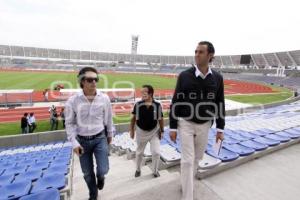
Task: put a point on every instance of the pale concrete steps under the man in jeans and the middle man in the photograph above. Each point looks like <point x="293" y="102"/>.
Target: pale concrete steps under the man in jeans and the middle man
<point x="120" y="183"/>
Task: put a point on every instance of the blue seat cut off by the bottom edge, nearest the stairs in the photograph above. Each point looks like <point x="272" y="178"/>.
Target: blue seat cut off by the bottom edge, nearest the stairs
<point x="49" y="194"/>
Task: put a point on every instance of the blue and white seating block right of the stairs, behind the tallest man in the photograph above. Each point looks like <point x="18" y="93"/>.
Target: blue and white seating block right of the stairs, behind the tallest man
<point x="245" y="134"/>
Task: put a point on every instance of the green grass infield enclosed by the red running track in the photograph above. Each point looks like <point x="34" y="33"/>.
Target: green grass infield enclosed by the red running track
<point x="40" y="81"/>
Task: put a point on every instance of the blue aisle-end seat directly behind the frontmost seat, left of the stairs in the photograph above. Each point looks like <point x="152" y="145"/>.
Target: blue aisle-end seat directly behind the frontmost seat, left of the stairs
<point x="57" y="181"/>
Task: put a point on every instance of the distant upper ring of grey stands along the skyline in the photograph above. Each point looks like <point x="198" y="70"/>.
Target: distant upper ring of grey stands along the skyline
<point x="290" y="58"/>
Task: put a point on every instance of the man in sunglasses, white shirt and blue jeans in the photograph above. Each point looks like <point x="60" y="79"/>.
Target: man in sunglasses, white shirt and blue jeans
<point x="88" y="114"/>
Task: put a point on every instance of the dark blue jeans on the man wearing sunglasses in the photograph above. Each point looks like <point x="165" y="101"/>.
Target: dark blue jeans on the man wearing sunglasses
<point x="99" y="148"/>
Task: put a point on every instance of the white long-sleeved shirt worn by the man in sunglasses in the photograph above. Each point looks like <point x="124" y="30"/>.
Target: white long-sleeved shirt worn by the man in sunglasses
<point x="87" y="118"/>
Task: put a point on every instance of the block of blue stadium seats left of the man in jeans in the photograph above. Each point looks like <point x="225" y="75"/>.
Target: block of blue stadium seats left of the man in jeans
<point x="36" y="171"/>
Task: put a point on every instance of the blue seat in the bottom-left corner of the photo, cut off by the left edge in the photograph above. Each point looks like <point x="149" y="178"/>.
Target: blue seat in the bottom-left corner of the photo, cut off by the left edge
<point x="15" y="190"/>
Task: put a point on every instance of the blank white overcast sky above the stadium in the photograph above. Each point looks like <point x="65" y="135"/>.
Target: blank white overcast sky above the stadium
<point x="166" y="27"/>
